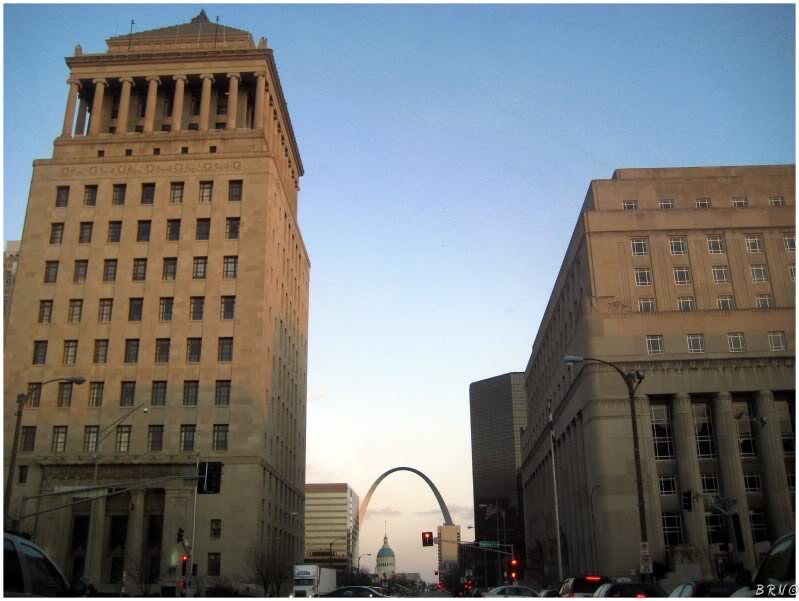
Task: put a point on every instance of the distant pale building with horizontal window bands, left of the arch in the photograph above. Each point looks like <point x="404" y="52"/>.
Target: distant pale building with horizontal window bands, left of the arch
<point x="331" y="526"/>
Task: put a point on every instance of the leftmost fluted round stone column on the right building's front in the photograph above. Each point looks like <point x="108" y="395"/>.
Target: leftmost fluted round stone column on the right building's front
<point x="689" y="477"/>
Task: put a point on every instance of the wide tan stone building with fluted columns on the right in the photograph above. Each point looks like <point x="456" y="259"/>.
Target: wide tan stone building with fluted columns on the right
<point x="688" y="276"/>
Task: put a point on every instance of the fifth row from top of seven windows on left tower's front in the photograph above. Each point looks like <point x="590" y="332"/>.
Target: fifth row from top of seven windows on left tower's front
<point x="194" y="348"/>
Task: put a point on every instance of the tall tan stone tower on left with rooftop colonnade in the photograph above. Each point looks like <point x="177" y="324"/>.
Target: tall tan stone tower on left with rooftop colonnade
<point x="162" y="260"/>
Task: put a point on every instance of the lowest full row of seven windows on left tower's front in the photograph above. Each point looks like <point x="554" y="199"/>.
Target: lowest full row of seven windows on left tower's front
<point x="155" y="438"/>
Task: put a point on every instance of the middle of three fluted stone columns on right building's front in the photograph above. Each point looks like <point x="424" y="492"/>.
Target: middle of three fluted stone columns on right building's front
<point x="732" y="478"/>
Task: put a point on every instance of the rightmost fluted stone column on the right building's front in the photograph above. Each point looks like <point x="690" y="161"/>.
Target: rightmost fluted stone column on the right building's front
<point x="772" y="460"/>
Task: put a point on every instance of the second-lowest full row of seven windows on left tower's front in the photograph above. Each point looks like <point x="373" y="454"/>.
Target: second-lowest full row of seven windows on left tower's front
<point x="127" y="394"/>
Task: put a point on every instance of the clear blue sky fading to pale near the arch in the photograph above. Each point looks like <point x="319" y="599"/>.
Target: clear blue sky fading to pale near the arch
<point x="447" y="152"/>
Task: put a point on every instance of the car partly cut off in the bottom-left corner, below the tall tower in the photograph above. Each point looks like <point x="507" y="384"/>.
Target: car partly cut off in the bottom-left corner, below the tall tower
<point x="29" y="572"/>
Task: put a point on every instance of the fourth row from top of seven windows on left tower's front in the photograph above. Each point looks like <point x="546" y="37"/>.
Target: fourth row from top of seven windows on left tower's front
<point x="227" y="309"/>
